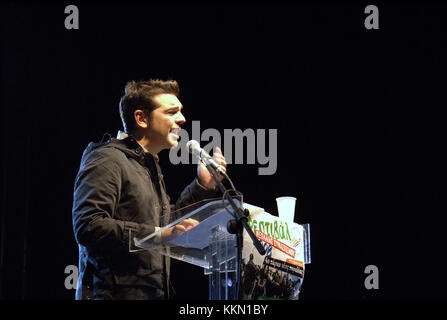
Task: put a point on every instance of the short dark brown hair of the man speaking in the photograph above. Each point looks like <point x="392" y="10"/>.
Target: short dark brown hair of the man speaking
<point x="139" y="95"/>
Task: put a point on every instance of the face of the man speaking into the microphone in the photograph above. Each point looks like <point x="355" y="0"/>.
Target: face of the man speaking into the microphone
<point x="165" y="122"/>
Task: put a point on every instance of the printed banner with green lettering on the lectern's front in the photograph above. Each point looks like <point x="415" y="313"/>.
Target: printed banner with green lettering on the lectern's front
<point x="280" y="272"/>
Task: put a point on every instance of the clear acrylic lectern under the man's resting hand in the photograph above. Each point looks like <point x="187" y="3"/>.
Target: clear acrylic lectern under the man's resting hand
<point x="208" y="244"/>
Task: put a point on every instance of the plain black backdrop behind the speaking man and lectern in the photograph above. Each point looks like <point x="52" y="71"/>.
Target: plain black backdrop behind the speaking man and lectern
<point x="359" y="116"/>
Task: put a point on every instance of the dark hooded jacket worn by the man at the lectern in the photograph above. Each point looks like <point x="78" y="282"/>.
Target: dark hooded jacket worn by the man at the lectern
<point x="119" y="190"/>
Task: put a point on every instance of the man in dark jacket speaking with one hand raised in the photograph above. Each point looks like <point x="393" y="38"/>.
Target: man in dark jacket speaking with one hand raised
<point x="119" y="190"/>
